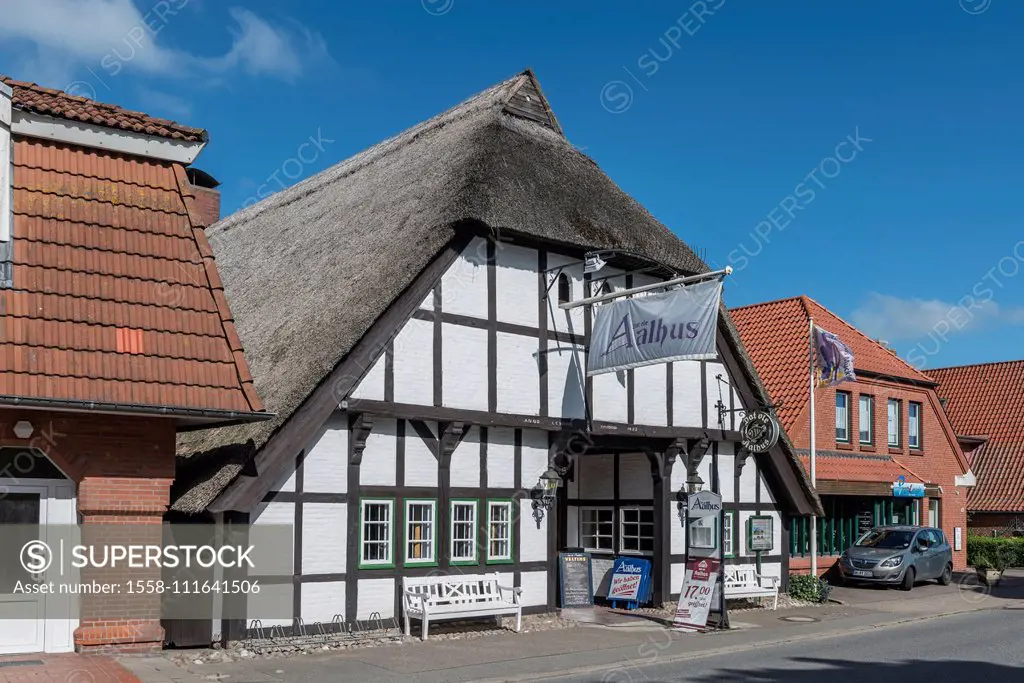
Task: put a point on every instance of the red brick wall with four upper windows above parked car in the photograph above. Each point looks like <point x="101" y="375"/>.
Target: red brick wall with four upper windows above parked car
<point x="936" y="462"/>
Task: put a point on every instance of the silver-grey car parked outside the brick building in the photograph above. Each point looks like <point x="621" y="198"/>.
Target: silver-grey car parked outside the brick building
<point x="899" y="557"/>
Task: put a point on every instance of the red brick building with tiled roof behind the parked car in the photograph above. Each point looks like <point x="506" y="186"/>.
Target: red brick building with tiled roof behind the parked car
<point x="870" y="434"/>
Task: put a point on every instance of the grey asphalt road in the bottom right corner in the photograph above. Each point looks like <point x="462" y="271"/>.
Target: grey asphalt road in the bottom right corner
<point x="978" y="647"/>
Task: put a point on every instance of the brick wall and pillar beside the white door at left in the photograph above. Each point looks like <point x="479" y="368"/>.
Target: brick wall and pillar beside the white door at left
<point x="124" y="467"/>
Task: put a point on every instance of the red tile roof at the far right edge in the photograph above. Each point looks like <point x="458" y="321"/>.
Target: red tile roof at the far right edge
<point x="989" y="401"/>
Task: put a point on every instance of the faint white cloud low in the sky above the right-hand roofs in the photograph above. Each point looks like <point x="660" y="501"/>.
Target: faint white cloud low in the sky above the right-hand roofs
<point x="893" y="319"/>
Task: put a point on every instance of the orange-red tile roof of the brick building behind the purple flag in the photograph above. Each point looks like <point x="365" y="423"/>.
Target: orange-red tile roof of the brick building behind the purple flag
<point x="777" y="337"/>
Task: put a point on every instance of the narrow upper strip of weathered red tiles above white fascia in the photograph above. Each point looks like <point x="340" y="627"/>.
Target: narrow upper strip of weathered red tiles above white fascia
<point x="58" y="104"/>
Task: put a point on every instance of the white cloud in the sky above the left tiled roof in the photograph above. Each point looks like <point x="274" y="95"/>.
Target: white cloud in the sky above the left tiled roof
<point x="108" y="36"/>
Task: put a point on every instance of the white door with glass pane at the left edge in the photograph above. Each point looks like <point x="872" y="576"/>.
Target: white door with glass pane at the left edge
<point x="23" y="617"/>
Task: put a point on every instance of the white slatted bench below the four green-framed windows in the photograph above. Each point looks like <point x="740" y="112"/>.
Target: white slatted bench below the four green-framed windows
<point x="458" y="596"/>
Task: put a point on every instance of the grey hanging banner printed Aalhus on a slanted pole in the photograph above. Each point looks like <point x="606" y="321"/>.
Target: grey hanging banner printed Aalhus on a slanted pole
<point x="676" y="326"/>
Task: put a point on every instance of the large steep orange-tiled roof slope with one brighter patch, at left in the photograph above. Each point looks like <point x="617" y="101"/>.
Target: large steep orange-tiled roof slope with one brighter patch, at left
<point x="115" y="293"/>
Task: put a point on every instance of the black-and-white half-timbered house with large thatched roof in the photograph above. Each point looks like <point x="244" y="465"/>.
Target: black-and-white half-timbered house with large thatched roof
<point x="401" y="315"/>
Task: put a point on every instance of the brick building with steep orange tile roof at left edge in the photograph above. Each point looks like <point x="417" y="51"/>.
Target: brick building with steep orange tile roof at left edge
<point x="115" y="335"/>
